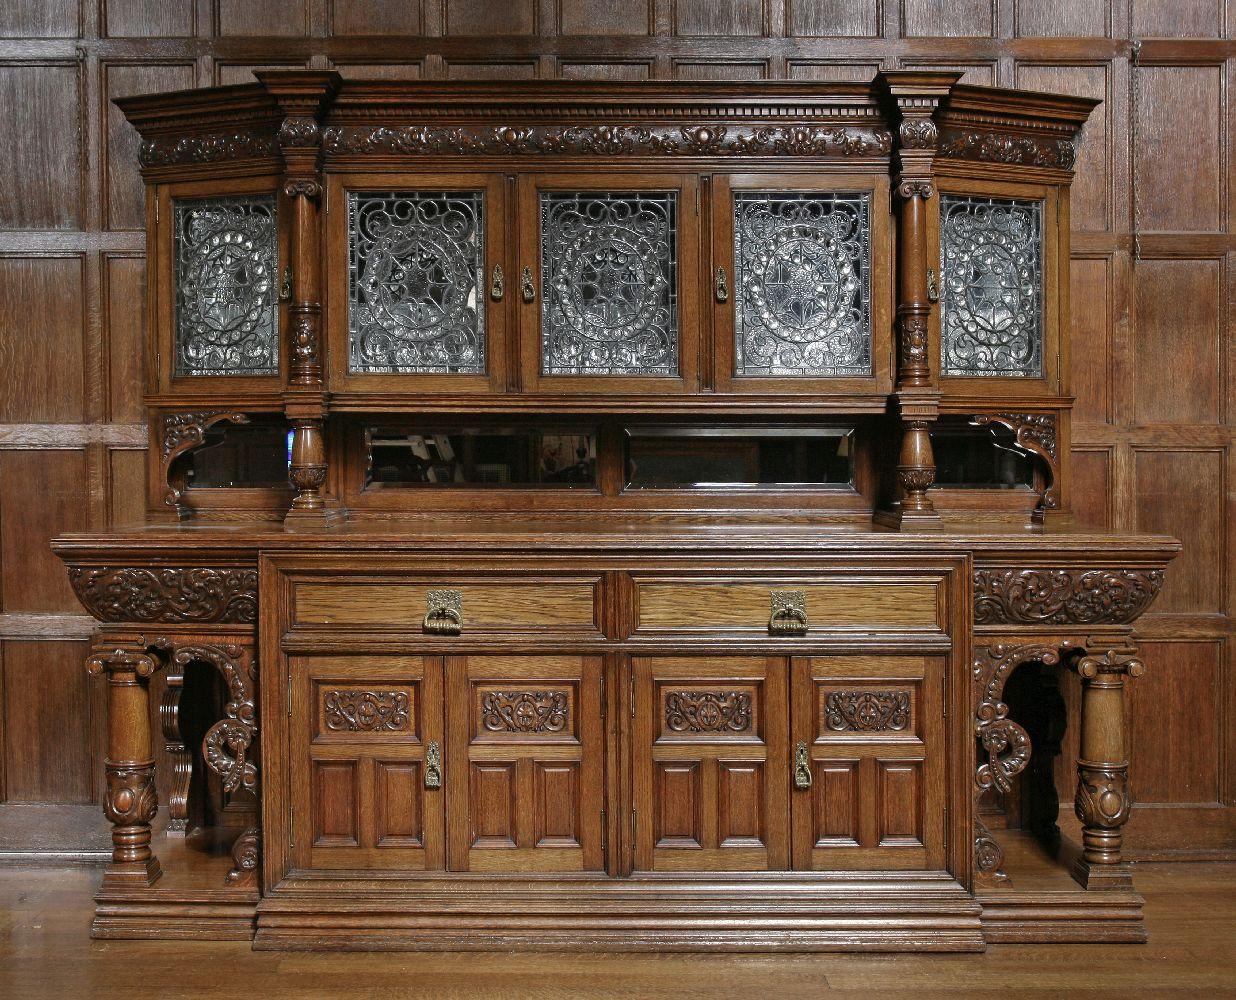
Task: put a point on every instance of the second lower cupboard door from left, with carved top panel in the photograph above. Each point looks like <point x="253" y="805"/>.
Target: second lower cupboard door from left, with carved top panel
<point x="525" y="763"/>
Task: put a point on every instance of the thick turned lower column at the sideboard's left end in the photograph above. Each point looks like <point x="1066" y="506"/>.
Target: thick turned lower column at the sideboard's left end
<point x="132" y="799"/>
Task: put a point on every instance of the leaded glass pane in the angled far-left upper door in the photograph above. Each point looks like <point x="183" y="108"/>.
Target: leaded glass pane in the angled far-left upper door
<point x="227" y="265"/>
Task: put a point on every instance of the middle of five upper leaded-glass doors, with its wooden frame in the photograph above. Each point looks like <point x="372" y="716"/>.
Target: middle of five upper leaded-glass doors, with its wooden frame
<point x="609" y="284"/>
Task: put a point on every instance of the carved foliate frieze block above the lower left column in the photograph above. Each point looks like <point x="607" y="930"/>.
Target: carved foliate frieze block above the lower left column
<point x="167" y="595"/>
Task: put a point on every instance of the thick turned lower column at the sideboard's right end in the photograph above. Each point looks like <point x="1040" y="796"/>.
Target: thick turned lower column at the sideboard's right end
<point x="1103" y="802"/>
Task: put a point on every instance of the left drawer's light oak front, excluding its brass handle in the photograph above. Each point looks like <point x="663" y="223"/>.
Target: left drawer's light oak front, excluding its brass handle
<point x="494" y="604"/>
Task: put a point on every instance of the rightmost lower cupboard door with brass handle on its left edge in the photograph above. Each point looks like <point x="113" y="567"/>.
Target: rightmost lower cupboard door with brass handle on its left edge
<point x="868" y="763"/>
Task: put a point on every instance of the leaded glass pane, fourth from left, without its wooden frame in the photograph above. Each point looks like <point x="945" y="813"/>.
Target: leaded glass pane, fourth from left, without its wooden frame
<point x="803" y="265"/>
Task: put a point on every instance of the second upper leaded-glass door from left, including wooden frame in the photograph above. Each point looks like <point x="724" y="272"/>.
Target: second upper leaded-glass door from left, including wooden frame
<point x="420" y="284"/>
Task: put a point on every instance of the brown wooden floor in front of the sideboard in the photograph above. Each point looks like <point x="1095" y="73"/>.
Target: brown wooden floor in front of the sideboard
<point x="45" y="952"/>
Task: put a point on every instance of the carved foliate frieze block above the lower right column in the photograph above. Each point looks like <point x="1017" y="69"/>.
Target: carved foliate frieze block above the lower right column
<point x="1064" y="598"/>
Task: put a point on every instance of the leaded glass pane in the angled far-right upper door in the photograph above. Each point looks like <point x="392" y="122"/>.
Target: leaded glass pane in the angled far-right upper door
<point x="992" y="266"/>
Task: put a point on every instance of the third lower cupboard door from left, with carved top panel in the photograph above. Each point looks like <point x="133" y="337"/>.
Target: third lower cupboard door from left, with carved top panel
<point x="711" y="765"/>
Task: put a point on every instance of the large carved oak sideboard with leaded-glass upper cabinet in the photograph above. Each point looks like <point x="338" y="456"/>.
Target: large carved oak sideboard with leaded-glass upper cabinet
<point x="632" y="517"/>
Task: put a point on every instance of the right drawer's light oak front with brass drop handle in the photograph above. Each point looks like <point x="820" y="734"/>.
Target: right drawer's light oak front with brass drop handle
<point x="750" y="605"/>
